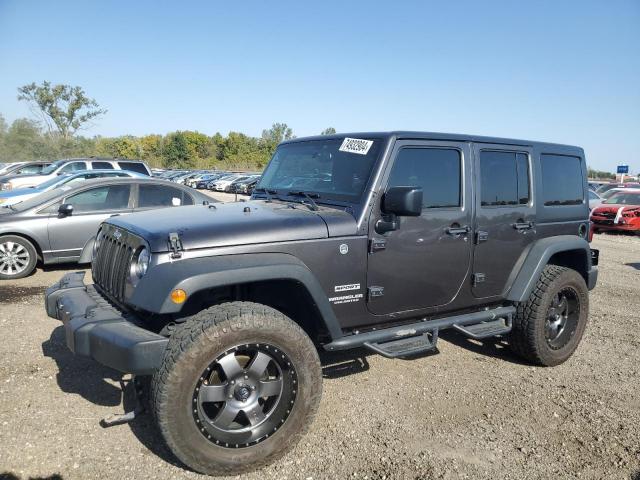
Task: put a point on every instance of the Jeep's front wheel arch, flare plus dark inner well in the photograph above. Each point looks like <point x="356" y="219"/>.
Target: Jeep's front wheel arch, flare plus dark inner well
<point x="278" y="280"/>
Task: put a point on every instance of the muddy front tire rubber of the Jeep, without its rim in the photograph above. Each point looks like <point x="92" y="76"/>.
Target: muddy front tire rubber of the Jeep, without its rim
<point x="193" y="347"/>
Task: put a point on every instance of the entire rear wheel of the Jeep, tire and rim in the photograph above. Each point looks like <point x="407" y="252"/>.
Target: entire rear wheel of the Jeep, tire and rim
<point x="548" y="327"/>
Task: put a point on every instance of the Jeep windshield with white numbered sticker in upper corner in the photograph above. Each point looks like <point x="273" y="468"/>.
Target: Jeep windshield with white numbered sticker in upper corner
<point x="336" y="169"/>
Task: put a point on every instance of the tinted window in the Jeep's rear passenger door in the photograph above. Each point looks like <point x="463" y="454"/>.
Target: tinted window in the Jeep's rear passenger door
<point x="504" y="178"/>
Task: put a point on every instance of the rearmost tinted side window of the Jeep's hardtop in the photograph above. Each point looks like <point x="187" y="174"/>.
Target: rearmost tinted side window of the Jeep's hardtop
<point x="562" y="182"/>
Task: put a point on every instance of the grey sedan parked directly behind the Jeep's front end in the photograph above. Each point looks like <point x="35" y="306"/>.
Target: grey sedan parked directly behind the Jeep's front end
<point x="59" y="226"/>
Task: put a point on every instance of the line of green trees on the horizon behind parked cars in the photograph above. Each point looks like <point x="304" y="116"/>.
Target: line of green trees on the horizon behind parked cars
<point x="63" y="110"/>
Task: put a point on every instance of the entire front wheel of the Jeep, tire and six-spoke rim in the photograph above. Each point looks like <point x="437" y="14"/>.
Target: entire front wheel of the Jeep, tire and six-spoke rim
<point x="239" y="385"/>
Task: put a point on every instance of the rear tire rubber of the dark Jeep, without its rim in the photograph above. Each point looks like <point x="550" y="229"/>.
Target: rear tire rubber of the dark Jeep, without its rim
<point x="527" y="338"/>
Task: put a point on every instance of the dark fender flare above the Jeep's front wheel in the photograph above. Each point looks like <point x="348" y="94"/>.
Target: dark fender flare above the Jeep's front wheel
<point x="195" y="274"/>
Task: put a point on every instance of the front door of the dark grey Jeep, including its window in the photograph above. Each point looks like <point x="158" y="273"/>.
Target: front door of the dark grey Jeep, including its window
<point x="425" y="261"/>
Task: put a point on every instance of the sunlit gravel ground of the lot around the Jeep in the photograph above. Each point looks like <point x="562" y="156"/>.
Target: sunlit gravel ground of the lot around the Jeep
<point x="471" y="411"/>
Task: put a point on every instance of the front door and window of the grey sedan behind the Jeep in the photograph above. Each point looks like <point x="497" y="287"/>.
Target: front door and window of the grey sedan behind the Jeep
<point x="68" y="235"/>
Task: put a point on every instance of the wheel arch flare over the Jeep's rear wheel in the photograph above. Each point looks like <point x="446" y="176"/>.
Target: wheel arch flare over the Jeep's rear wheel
<point x="565" y="250"/>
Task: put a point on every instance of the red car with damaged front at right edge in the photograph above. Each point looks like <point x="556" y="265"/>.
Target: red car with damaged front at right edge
<point x="621" y="212"/>
